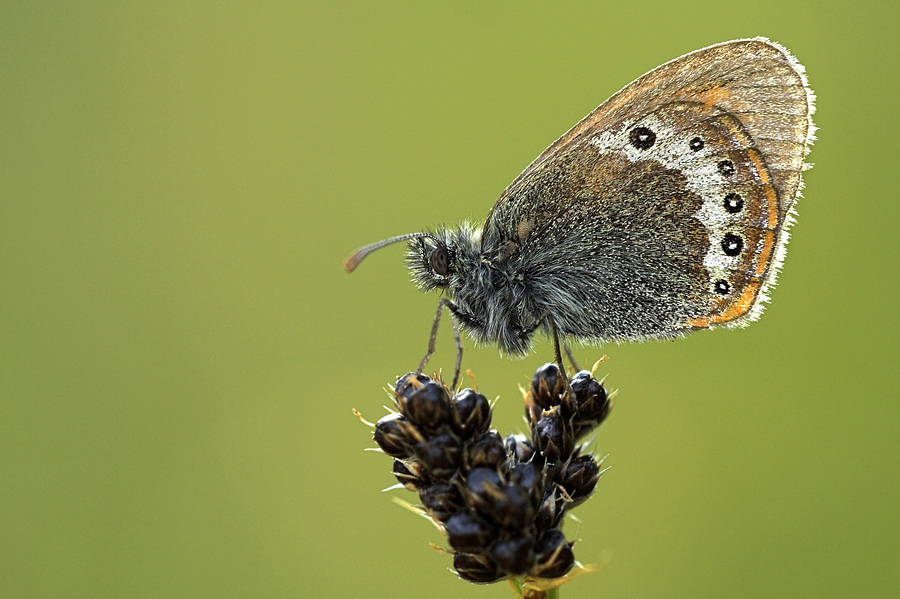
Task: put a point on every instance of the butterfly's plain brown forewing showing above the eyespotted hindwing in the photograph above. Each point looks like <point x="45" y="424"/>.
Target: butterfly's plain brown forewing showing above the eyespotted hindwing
<point x="756" y="80"/>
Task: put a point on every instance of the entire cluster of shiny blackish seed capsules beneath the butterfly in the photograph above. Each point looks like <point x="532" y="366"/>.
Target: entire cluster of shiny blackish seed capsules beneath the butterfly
<point x="501" y="501"/>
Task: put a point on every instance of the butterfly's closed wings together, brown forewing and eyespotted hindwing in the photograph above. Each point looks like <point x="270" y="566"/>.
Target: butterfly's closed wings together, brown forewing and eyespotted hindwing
<point x="674" y="196"/>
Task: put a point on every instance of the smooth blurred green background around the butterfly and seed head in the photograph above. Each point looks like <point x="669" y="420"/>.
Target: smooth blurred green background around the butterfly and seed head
<point x="181" y="349"/>
